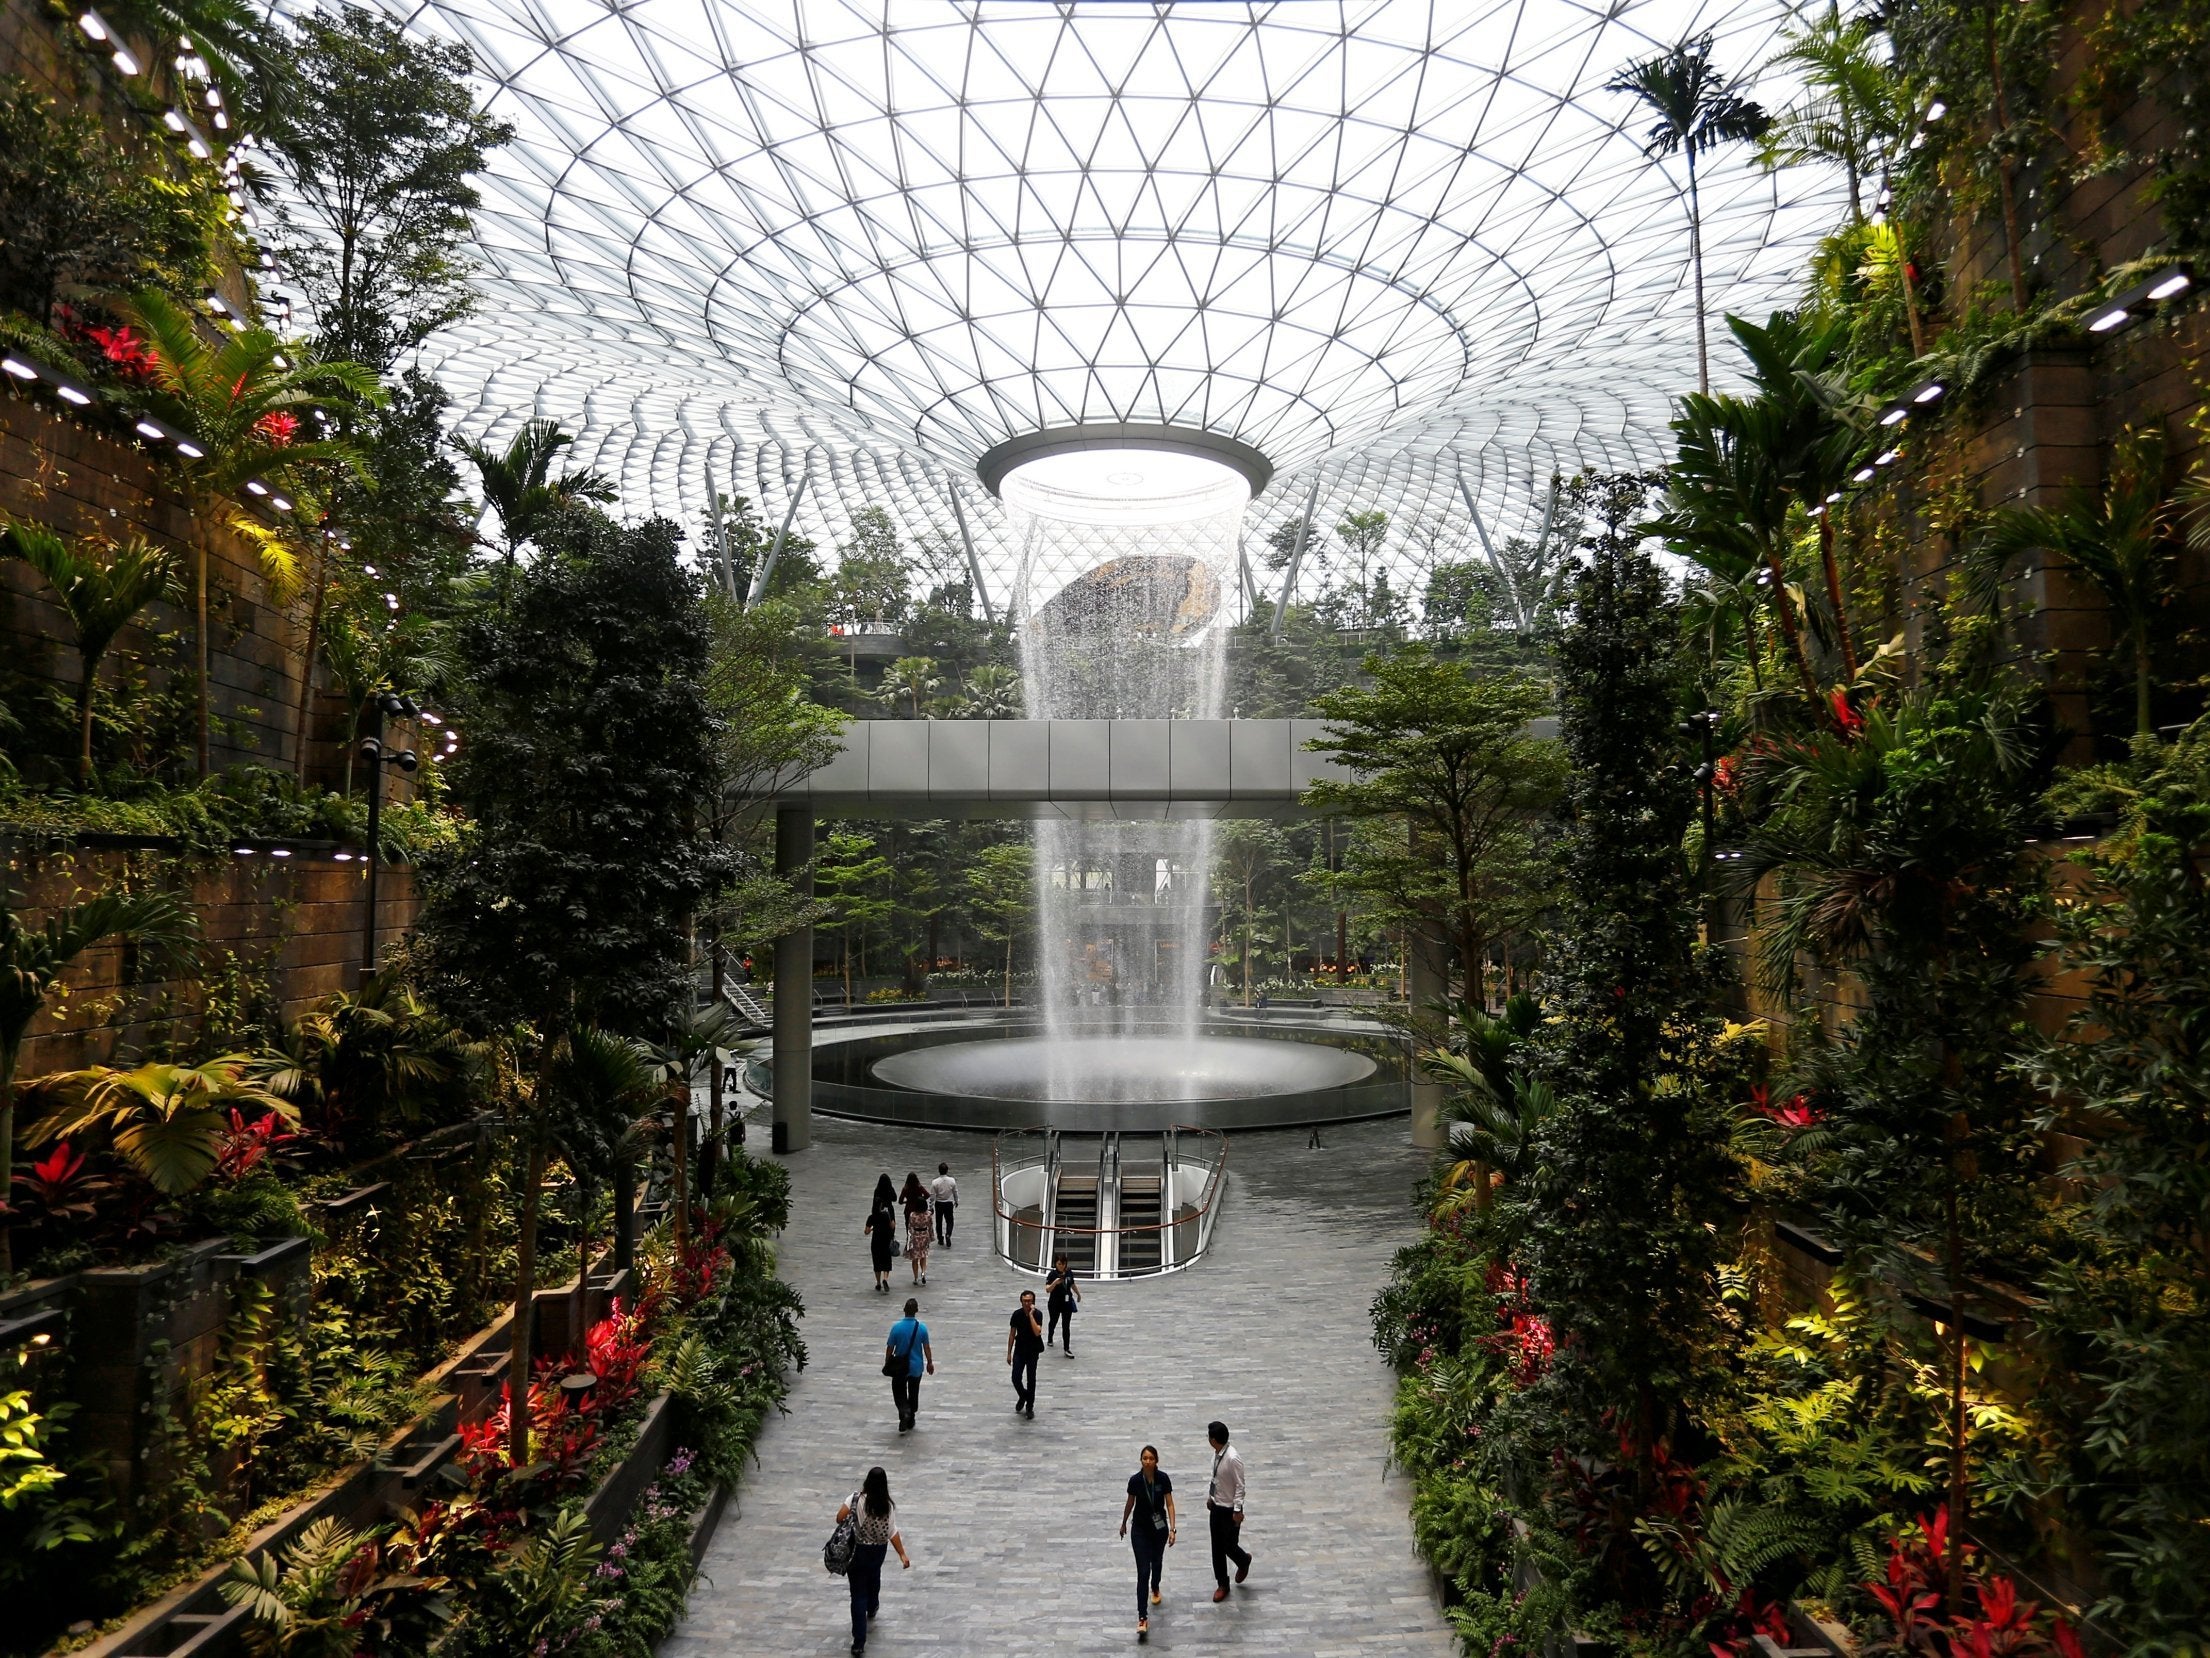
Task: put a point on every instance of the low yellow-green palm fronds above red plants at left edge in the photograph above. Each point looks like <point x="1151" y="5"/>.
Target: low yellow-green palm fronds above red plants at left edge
<point x="167" y="1122"/>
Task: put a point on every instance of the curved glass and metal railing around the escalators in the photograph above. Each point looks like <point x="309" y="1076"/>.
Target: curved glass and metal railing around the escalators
<point x="1027" y="1224"/>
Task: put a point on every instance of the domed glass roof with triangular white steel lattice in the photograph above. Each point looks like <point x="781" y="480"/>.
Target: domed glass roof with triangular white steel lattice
<point x="1411" y="251"/>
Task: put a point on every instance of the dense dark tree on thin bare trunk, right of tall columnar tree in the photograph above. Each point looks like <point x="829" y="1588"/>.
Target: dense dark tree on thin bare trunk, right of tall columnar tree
<point x="1899" y="846"/>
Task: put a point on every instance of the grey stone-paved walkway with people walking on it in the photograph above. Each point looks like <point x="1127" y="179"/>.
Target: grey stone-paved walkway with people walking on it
<point x="1015" y="1526"/>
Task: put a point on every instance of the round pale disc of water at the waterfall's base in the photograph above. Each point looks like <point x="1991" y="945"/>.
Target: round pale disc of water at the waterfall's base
<point x="1124" y="1071"/>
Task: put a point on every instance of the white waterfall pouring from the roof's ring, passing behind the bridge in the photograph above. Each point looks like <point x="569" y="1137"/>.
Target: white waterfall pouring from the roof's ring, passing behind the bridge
<point x="1122" y="622"/>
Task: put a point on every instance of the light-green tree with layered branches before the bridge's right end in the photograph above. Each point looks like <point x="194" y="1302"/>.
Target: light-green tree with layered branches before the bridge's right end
<point x="1451" y="753"/>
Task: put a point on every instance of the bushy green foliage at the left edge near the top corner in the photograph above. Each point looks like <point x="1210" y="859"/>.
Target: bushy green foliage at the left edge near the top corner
<point x="87" y="213"/>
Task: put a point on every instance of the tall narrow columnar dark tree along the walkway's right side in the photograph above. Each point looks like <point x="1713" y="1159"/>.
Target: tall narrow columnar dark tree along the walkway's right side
<point x="1621" y="1241"/>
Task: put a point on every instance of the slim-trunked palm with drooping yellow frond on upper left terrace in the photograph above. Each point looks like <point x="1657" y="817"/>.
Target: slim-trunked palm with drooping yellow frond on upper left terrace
<point x="244" y="403"/>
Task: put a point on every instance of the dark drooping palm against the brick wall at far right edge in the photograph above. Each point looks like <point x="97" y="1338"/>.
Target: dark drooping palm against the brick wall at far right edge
<point x="2123" y="538"/>
